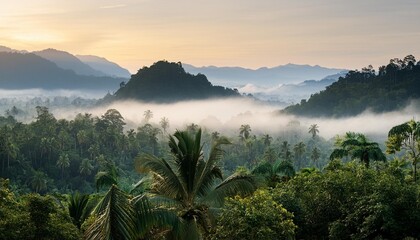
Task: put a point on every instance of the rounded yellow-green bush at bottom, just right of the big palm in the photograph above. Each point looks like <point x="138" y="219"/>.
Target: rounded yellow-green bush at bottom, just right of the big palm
<point x="254" y="217"/>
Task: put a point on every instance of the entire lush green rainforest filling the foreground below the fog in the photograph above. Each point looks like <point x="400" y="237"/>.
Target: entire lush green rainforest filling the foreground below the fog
<point x="92" y="178"/>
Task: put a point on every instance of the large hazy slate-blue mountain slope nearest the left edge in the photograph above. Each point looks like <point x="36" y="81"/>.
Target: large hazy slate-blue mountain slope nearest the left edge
<point x="27" y="70"/>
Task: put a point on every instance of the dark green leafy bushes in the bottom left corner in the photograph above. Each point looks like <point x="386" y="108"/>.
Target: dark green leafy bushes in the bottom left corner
<point x="33" y="217"/>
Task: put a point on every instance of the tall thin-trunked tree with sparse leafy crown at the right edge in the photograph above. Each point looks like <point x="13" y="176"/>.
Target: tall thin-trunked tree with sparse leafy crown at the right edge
<point x="406" y="137"/>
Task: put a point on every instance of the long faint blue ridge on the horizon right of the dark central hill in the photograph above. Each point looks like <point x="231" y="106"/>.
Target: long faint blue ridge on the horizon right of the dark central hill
<point x="264" y="77"/>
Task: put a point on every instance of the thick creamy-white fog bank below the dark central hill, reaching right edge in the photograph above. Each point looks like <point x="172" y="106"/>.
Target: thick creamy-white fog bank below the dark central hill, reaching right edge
<point x="226" y="116"/>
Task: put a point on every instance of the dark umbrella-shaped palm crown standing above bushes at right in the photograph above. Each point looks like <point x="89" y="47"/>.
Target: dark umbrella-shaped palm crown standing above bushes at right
<point x="358" y="146"/>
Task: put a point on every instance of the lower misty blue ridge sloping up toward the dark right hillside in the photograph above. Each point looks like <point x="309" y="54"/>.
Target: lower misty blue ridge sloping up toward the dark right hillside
<point x="290" y="93"/>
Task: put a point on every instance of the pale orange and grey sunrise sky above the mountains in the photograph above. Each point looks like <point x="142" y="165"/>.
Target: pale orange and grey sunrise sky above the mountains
<point x="247" y="33"/>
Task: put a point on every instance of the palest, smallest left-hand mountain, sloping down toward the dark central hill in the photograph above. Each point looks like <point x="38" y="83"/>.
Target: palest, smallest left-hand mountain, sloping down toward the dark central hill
<point x="103" y="65"/>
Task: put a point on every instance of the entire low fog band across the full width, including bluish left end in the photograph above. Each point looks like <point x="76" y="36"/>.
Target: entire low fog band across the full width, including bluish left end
<point x="225" y="116"/>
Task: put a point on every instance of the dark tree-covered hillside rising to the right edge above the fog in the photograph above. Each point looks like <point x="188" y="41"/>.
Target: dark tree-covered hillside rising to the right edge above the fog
<point x="393" y="88"/>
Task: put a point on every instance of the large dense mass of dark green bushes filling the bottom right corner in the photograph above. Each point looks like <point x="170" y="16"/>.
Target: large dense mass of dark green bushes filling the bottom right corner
<point x="351" y="202"/>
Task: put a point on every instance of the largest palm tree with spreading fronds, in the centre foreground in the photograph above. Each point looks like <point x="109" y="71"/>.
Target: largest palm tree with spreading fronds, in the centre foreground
<point x="188" y="181"/>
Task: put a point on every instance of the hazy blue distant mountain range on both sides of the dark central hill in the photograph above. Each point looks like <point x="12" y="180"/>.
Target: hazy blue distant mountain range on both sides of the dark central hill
<point x="288" y="83"/>
